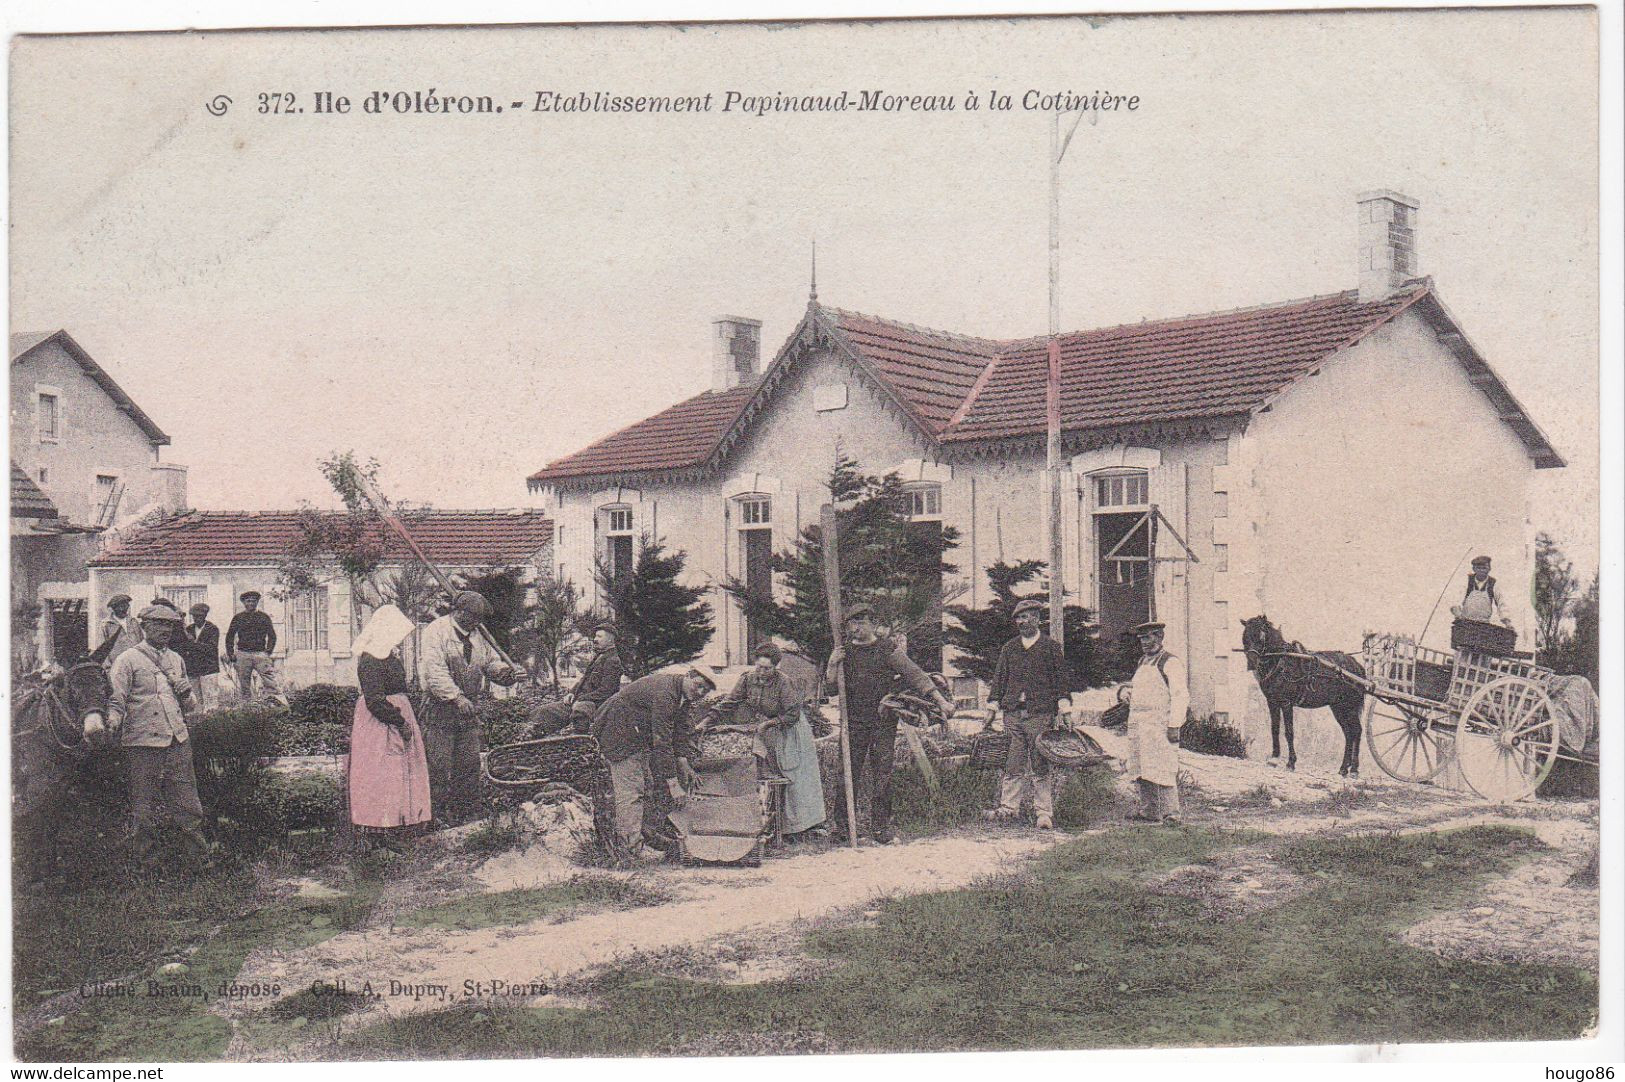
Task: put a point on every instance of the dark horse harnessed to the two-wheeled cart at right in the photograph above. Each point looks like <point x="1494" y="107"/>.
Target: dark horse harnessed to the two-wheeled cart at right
<point x="1304" y="682"/>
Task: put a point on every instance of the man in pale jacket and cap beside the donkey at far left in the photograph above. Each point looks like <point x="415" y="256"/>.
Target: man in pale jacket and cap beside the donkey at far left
<point x="149" y="706"/>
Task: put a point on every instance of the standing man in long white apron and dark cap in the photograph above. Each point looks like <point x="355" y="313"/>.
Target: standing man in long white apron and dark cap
<point x="1159" y="699"/>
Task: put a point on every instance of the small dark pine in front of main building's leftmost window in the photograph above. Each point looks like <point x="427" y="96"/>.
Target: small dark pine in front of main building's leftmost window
<point x="661" y="621"/>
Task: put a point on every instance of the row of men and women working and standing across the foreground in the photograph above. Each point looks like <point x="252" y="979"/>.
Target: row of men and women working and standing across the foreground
<point x="407" y="773"/>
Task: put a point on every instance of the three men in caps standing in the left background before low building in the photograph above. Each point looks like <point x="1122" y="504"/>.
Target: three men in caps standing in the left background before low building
<point x="249" y="649"/>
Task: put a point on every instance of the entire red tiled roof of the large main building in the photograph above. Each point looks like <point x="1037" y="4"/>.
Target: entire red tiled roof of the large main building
<point x="966" y="391"/>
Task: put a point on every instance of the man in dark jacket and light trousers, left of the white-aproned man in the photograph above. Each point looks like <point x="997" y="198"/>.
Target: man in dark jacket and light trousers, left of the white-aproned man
<point x="1028" y="685"/>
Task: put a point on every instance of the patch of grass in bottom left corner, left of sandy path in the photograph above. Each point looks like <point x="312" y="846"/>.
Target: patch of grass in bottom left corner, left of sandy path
<point x="129" y="930"/>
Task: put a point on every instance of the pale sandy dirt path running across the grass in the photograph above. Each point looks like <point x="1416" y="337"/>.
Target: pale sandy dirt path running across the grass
<point x="716" y="915"/>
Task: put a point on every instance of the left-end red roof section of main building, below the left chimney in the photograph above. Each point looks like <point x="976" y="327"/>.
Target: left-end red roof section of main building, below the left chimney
<point x="680" y="438"/>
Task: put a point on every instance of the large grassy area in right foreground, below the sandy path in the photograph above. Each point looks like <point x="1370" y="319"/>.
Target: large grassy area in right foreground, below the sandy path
<point x="1081" y="954"/>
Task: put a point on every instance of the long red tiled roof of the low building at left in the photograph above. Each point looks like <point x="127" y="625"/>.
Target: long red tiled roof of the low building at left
<point x="446" y="537"/>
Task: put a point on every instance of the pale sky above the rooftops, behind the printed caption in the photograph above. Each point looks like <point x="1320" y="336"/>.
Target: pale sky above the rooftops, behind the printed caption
<point x="467" y="298"/>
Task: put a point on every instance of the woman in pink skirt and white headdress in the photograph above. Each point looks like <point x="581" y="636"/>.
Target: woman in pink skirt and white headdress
<point x="389" y="776"/>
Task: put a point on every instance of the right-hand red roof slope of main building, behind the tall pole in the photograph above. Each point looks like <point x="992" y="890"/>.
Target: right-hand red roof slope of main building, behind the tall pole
<point x="1205" y="366"/>
